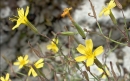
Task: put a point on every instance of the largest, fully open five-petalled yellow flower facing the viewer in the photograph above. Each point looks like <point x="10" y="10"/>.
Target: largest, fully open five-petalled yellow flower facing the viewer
<point x="88" y="53"/>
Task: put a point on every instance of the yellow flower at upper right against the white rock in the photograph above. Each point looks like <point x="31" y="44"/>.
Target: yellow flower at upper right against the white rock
<point x="106" y="10"/>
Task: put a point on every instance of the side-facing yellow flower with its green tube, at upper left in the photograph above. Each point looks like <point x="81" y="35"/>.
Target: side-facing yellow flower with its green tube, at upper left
<point x="22" y="19"/>
